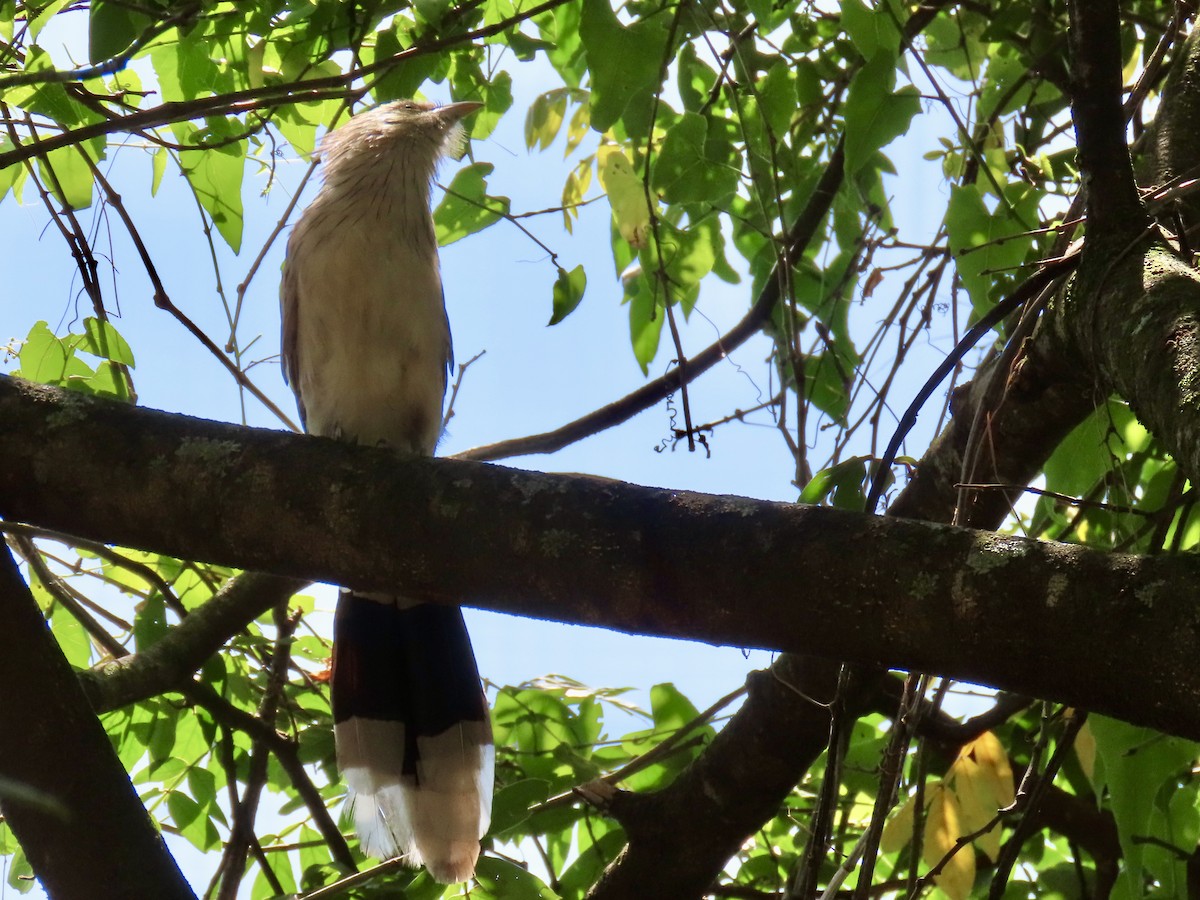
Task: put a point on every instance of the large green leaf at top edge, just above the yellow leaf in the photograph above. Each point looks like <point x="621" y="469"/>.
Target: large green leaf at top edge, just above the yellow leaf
<point x="627" y="68"/>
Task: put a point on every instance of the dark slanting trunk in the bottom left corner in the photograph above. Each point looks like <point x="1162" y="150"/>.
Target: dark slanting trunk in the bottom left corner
<point x="65" y="794"/>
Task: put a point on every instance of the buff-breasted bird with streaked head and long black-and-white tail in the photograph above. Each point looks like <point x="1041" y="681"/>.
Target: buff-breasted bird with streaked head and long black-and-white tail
<point x="367" y="350"/>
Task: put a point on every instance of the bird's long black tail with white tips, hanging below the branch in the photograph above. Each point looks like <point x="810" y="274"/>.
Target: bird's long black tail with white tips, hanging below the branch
<point x="415" y="740"/>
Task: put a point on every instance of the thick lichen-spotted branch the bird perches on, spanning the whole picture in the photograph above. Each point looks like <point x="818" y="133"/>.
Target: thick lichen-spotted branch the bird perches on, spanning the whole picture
<point x="976" y="607"/>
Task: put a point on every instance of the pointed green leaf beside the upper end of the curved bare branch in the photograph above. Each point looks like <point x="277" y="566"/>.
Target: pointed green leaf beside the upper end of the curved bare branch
<point x="875" y="112"/>
